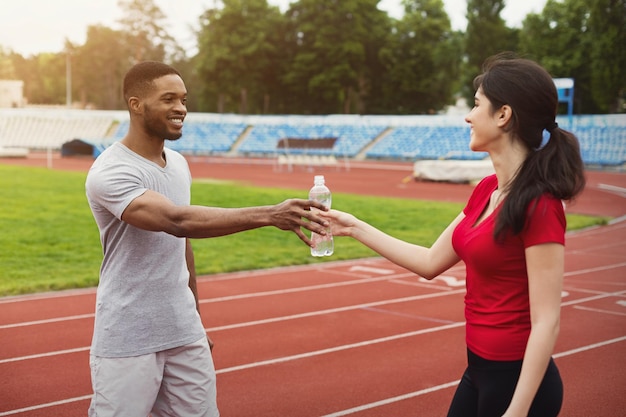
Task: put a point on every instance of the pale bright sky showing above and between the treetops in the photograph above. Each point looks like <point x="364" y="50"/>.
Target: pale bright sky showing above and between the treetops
<point x="30" y="27"/>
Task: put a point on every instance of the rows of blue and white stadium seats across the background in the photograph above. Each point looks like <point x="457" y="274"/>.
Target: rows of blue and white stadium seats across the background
<point x="602" y="137"/>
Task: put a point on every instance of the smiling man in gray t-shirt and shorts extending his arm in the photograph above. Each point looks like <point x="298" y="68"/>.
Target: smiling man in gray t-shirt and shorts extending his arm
<point x="150" y="353"/>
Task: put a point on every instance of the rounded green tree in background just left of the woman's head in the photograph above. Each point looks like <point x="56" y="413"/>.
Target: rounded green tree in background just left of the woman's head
<point x="422" y="58"/>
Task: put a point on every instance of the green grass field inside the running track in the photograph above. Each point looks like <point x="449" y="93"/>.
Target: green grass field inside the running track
<point x="49" y="240"/>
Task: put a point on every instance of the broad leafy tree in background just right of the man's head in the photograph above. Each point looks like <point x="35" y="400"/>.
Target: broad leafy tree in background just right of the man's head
<point x="238" y="55"/>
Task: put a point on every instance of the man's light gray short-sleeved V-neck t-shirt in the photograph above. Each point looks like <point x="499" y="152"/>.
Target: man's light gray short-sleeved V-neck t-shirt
<point x="143" y="302"/>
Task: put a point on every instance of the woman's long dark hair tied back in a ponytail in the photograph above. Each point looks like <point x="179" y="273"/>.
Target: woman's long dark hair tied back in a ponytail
<point x="555" y="168"/>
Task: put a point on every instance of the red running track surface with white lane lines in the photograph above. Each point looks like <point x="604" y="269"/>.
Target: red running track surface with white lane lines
<point x="360" y="338"/>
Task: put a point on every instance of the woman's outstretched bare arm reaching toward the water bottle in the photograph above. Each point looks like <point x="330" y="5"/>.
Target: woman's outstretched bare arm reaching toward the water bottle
<point x="426" y="262"/>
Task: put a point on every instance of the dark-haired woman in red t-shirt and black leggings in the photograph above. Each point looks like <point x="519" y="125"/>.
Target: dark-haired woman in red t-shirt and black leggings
<point x="511" y="237"/>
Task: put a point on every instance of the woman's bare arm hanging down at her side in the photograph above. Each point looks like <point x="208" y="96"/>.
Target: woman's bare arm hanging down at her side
<point x="545" y="265"/>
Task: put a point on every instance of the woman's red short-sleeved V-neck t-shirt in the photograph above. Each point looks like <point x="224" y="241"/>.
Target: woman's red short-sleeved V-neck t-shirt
<point x="497" y="310"/>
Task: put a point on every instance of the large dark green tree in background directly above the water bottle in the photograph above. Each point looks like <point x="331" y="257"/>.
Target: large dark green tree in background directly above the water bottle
<point x="335" y="43"/>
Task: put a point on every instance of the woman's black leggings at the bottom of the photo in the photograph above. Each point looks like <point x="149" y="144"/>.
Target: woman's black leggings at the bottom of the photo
<point x="487" y="387"/>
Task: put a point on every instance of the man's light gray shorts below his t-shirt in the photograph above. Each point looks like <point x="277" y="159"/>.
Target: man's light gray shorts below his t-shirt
<point x="174" y="382"/>
